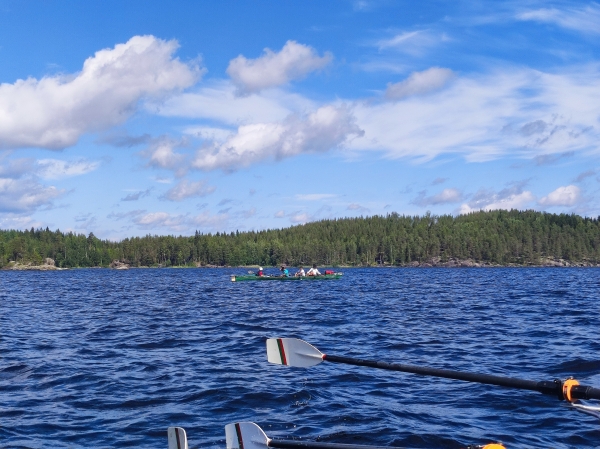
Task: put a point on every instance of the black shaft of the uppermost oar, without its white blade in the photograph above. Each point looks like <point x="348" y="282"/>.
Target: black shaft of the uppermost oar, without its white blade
<point x="545" y="387"/>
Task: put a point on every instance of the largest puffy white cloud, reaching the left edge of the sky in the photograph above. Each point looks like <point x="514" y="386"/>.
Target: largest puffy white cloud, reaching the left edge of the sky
<point x="53" y="112"/>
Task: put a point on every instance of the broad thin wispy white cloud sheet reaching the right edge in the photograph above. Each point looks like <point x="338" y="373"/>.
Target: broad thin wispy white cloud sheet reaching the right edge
<point x="521" y="112"/>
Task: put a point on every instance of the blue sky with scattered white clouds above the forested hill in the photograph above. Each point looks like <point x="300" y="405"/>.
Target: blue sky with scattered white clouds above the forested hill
<point x="134" y="118"/>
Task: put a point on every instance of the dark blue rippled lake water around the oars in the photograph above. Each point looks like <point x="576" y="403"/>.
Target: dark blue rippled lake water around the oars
<point x="101" y="358"/>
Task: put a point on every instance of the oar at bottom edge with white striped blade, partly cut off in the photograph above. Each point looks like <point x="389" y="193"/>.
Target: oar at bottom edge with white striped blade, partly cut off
<point x="247" y="435"/>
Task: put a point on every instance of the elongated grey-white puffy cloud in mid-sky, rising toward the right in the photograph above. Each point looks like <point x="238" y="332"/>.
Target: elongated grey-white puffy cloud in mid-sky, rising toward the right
<point x="326" y="128"/>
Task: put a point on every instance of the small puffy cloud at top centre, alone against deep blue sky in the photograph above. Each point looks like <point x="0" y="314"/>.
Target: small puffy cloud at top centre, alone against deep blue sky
<point x="274" y="69"/>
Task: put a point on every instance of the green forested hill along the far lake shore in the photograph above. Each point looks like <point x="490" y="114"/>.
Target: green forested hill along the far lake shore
<point x="495" y="237"/>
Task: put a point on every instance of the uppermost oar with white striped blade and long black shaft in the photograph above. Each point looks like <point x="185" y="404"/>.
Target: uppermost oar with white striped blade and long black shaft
<point x="295" y="352"/>
